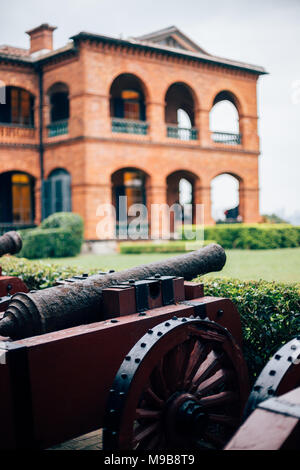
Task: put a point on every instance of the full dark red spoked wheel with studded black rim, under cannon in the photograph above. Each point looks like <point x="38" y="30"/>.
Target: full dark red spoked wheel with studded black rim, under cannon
<point x="183" y="385"/>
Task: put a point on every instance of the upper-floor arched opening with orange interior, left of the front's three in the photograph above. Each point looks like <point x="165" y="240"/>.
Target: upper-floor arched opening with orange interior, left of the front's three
<point x="127" y="105"/>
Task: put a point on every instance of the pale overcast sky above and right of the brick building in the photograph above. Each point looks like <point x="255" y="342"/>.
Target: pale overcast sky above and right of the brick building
<point x="261" y="32"/>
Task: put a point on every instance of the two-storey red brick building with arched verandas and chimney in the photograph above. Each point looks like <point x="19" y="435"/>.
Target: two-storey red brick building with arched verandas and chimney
<point x="98" y="118"/>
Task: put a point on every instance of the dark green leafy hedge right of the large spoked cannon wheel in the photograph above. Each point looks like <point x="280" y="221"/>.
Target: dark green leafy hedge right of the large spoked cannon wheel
<point x="270" y="315"/>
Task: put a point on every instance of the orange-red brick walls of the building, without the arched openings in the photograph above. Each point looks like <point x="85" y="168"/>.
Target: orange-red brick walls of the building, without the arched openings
<point x="91" y="152"/>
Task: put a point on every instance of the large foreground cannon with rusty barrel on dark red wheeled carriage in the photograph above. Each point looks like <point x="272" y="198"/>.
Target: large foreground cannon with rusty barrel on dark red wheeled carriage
<point x="142" y="354"/>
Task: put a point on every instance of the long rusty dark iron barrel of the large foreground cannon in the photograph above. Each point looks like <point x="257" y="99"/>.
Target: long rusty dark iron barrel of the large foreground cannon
<point x="61" y="307"/>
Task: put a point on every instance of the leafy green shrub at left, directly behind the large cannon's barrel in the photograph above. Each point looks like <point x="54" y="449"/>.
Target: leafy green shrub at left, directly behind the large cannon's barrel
<point x="36" y="274"/>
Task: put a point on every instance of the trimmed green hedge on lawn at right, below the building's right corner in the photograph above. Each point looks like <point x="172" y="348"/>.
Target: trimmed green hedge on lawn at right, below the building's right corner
<point x="249" y="236"/>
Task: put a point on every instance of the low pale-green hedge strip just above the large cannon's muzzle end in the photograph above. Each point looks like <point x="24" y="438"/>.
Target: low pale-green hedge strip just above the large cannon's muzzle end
<point x="175" y="246"/>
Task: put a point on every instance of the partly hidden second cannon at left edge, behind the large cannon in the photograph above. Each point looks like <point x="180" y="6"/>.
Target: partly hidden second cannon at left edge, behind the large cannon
<point x="10" y="243"/>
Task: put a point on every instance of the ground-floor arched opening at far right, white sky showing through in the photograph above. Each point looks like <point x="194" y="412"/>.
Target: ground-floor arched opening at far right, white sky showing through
<point x="225" y="200"/>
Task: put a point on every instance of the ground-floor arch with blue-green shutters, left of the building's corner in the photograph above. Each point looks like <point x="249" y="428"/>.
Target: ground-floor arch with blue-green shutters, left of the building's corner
<point x="57" y="192"/>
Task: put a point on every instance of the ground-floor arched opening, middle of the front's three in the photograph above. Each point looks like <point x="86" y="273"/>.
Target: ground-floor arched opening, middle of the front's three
<point x="181" y="193"/>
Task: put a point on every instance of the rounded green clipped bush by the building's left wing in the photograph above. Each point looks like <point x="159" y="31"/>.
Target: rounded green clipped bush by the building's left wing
<point x="60" y="235"/>
